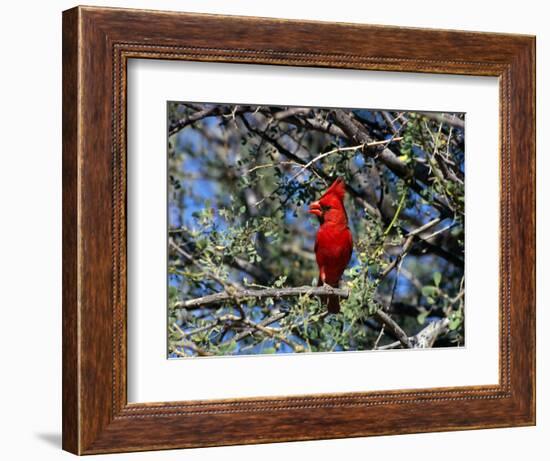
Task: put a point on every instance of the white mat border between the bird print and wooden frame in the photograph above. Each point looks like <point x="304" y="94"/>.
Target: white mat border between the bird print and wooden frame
<point x="151" y="377"/>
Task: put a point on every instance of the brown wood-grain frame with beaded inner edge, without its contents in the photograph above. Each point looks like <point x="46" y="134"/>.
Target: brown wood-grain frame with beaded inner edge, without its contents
<point x="97" y="44"/>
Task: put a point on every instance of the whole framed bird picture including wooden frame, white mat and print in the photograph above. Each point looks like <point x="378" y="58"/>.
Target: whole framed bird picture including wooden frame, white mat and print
<point x="285" y="230"/>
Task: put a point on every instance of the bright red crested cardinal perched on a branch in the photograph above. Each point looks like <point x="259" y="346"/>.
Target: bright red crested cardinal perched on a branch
<point x="334" y="244"/>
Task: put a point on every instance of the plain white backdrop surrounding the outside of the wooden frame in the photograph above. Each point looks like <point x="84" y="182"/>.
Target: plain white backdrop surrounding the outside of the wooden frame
<point x="30" y="232"/>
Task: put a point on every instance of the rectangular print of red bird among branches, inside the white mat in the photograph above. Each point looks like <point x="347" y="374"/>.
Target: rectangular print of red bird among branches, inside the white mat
<point x="311" y="229"/>
